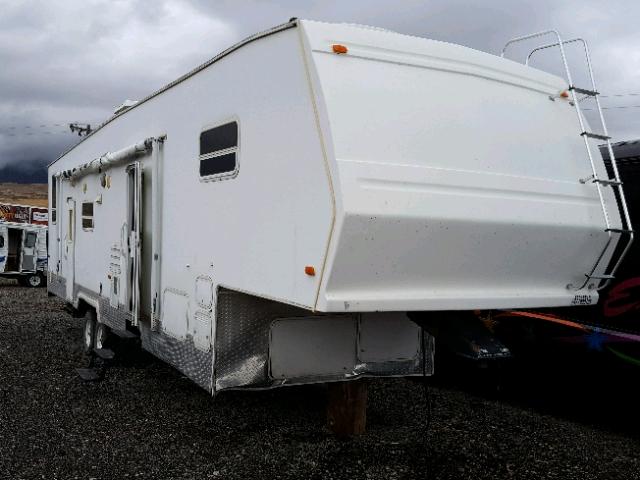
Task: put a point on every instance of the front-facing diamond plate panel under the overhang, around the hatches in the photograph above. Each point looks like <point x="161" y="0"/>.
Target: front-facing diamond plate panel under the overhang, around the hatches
<point x="242" y="335"/>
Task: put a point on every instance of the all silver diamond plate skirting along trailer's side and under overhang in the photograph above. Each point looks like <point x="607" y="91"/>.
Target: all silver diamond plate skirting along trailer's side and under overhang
<point x="242" y="341"/>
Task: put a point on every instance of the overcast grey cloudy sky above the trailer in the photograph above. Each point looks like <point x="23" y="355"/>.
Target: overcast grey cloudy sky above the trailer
<point x="74" y="61"/>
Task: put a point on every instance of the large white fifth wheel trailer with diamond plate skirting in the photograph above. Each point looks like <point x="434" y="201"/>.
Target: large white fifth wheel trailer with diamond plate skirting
<point x="280" y="214"/>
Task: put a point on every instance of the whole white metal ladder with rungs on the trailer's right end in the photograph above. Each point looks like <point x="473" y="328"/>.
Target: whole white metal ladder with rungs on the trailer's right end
<point x="608" y="271"/>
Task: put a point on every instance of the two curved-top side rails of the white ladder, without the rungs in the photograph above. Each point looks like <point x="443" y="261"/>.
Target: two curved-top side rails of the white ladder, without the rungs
<point x="625" y="216"/>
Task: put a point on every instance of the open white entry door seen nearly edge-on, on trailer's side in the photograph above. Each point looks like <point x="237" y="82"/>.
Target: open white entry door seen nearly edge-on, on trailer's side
<point x="134" y="213"/>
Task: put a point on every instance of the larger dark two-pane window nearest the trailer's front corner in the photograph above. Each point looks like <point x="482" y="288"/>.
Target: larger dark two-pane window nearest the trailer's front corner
<point x="219" y="150"/>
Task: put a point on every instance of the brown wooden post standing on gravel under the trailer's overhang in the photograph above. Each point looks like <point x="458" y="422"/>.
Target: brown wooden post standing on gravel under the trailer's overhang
<point x="347" y="408"/>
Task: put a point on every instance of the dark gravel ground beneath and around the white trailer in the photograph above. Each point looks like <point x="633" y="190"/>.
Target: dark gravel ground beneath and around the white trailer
<point x="145" y="420"/>
